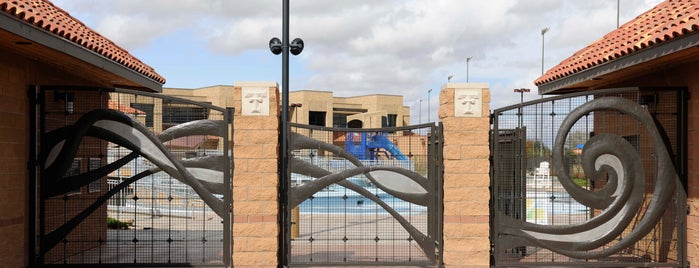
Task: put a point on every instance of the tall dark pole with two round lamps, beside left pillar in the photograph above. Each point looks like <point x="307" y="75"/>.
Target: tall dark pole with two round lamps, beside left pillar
<point x="284" y="47"/>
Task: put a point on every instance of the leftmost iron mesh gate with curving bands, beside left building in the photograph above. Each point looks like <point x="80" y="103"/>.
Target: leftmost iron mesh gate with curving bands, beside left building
<point x="128" y="177"/>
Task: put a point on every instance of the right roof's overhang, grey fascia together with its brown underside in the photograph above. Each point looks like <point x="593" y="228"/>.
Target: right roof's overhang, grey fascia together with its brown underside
<point x="672" y="52"/>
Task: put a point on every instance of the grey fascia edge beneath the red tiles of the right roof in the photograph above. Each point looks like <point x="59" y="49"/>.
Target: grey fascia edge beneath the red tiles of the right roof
<point x="642" y="56"/>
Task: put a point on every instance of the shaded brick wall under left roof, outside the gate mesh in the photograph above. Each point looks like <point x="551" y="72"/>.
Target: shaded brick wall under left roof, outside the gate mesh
<point x="17" y="73"/>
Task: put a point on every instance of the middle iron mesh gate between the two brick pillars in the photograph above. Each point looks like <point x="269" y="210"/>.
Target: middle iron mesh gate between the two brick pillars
<point x="365" y="196"/>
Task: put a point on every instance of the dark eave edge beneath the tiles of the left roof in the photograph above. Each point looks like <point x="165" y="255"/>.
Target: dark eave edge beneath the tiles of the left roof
<point x="39" y="36"/>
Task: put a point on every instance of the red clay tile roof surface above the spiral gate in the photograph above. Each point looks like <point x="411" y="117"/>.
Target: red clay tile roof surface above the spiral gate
<point x="668" y="20"/>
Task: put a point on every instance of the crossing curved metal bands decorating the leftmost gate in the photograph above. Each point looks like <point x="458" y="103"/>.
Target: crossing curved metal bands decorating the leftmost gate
<point x="204" y="174"/>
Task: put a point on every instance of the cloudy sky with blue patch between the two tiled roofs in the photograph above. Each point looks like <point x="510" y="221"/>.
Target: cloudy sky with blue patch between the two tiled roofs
<point x="358" y="47"/>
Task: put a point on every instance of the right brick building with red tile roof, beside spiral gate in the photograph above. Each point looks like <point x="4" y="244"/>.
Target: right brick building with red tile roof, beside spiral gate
<point x="656" y="53"/>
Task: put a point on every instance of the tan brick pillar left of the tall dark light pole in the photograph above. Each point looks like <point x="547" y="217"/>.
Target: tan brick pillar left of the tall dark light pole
<point x="255" y="179"/>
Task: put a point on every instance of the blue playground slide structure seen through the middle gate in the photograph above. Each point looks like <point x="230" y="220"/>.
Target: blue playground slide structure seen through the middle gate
<point x="368" y="145"/>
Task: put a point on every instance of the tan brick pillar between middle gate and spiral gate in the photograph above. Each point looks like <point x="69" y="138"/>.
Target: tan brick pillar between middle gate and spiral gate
<point x="464" y="113"/>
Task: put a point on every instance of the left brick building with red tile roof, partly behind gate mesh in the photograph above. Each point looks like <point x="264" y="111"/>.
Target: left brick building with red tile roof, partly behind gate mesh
<point x="42" y="45"/>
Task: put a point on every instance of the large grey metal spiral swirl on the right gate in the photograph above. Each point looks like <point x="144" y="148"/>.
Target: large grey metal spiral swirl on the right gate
<point x="620" y="200"/>
